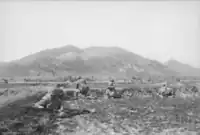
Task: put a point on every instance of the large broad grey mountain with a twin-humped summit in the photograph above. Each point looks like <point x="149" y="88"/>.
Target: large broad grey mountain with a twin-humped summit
<point x="105" y="61"/>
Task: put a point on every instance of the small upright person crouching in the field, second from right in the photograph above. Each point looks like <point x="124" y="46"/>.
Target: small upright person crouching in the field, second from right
<point x="110" y="92"/>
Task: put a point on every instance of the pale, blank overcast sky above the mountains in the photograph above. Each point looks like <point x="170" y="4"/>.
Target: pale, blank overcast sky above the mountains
<point x="157" y="30"/>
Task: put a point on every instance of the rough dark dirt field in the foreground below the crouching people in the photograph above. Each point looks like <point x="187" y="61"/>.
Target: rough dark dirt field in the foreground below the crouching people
<point x="135" y="116"/>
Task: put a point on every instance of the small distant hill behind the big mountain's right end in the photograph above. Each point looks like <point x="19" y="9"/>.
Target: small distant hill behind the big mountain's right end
<point x="183" y="69"/>
